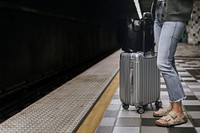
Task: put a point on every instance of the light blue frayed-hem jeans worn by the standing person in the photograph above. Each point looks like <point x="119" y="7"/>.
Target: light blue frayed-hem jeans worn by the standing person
<point x="167" y="35"/>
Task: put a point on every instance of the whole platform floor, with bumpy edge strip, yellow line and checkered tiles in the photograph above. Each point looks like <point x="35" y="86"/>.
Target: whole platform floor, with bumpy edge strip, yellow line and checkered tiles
<point x="90" y="103"/>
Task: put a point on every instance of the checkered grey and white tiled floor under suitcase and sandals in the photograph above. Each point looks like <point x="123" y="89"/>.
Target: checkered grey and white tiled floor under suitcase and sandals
<point x="118" y="120"/>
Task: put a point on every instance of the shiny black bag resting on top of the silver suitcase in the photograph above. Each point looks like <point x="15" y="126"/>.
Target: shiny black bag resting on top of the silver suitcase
<point x="132" y="34"/>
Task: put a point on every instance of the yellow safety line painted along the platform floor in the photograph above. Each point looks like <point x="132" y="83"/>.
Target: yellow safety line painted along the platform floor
<point x="93" y="119"/>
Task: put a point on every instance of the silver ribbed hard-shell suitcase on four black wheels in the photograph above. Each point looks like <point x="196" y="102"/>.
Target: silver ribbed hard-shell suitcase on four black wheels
<point x="139" y="80"/>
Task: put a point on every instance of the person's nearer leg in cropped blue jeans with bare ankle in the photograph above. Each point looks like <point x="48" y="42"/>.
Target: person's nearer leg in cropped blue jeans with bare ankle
<point x="170" y="35"/>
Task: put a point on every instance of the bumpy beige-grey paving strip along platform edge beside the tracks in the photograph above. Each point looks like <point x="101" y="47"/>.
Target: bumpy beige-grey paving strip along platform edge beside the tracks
<point x="62" y="110"/>
